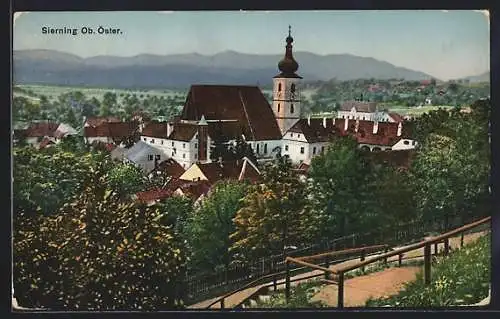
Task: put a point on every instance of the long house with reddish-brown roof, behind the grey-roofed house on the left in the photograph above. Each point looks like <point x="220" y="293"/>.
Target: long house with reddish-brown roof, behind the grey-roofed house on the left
<point x="110" y="132"/>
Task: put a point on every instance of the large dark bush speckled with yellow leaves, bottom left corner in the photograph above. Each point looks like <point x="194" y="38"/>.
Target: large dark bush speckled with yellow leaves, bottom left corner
<point x="99" y="253"/>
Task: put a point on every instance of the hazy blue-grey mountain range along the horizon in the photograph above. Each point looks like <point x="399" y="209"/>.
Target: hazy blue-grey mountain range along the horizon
<point x="182" y="70"/>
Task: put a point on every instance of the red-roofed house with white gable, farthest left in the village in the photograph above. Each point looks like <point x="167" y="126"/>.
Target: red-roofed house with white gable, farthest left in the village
<point x="46" y="130"/>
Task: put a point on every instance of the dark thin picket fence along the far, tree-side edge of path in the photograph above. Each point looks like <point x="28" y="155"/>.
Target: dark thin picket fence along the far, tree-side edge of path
<point x="204" y="286"/>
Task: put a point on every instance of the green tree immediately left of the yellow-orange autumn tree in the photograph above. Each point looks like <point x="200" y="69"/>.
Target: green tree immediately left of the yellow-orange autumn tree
<point x="209" y="227"/>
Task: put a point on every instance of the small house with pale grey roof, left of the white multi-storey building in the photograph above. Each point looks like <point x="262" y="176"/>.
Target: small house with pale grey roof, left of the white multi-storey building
<point x="144" y="156"/>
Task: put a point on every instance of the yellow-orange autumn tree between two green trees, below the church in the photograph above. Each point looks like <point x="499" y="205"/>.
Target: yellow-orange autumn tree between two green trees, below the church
<point x="272" y="214"/>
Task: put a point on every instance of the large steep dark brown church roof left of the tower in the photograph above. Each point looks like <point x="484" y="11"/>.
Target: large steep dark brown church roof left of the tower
<point x="246" y="104"/>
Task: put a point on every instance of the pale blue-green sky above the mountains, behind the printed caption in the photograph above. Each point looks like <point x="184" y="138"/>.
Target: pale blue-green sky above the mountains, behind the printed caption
<point x="445" y="44"/>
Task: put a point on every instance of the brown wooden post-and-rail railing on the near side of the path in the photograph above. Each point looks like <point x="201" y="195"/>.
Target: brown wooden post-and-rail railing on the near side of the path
<point x="339" y="274"/>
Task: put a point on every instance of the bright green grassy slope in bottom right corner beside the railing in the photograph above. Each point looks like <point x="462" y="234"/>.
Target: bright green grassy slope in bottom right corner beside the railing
<point x="461" y="278"/>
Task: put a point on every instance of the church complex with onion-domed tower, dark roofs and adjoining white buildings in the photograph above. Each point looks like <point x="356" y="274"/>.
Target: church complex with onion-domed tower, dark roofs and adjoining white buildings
<point x="228" y="112"/>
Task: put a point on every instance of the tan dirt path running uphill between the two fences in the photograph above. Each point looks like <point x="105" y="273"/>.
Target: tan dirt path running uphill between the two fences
<point x="362" y="287"/>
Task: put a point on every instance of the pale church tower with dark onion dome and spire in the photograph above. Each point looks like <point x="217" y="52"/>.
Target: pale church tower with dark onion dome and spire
<point x="286" y="93"/>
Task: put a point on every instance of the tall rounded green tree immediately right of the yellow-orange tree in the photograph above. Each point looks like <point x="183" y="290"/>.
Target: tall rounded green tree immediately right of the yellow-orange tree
<point x="337" y="190"/>
